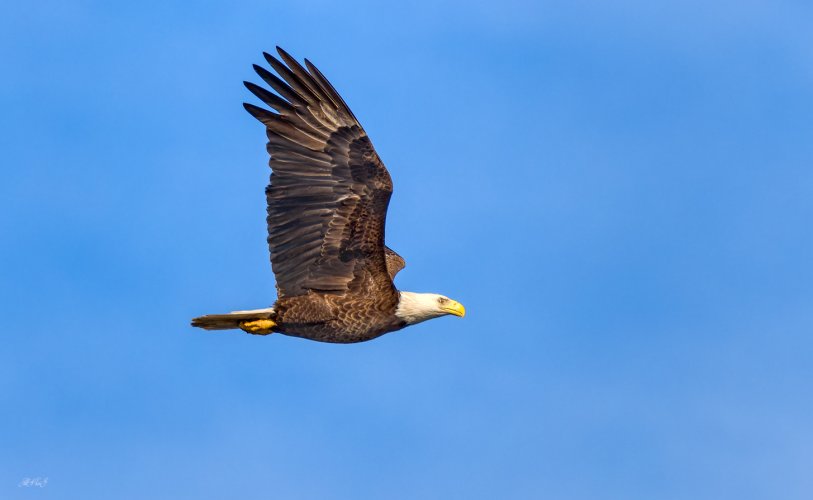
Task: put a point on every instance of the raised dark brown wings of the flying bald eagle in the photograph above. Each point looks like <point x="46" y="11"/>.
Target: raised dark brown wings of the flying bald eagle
<point x="329" y="191"/>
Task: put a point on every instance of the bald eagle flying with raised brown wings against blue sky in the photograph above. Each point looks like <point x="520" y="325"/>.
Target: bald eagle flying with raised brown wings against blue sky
<point x="327" y="208"/>
